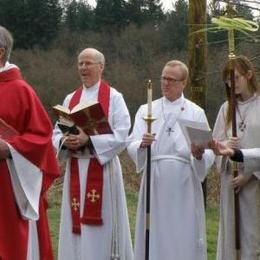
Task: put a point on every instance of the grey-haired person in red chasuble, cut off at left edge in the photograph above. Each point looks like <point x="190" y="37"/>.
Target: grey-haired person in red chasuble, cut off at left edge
<point x="27" y="164"/>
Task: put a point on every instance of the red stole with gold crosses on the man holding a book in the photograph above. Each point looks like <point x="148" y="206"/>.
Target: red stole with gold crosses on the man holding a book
<point x="92" y="213"/>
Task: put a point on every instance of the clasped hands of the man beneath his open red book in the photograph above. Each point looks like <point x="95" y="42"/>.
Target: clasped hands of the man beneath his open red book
<point x="75" y="142"/>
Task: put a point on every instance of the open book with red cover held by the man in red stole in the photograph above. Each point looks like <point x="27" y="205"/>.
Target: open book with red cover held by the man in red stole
<point x="89" y="116"/>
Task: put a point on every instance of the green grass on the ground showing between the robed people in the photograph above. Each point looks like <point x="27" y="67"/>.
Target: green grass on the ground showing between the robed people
<point x="54" y="216"/>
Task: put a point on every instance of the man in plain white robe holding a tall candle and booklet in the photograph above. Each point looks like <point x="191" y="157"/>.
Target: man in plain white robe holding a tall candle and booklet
<point x="177" y="229"/>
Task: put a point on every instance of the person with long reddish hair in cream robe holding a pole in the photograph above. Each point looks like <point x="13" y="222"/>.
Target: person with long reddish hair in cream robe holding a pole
<point x="246" y="184"/>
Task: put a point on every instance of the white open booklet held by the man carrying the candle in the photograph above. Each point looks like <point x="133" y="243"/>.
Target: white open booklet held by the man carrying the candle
<point x="196" y="132"/>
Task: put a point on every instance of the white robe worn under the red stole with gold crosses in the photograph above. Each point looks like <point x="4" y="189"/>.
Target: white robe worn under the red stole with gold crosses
<point x="95" y="241"/>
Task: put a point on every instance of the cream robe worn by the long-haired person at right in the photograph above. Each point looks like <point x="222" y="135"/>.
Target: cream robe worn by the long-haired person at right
<point x="249" y="196"/>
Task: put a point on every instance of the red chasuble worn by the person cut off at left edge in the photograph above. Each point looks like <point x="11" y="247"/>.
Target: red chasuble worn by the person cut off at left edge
<point x="21" y="108"/>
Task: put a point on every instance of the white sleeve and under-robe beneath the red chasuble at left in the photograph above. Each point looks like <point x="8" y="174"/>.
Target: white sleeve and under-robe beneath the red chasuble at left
<point x="27" y="189"/>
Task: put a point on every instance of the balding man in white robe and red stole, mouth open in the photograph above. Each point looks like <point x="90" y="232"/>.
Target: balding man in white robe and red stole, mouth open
<point x="94" y="219"/>
